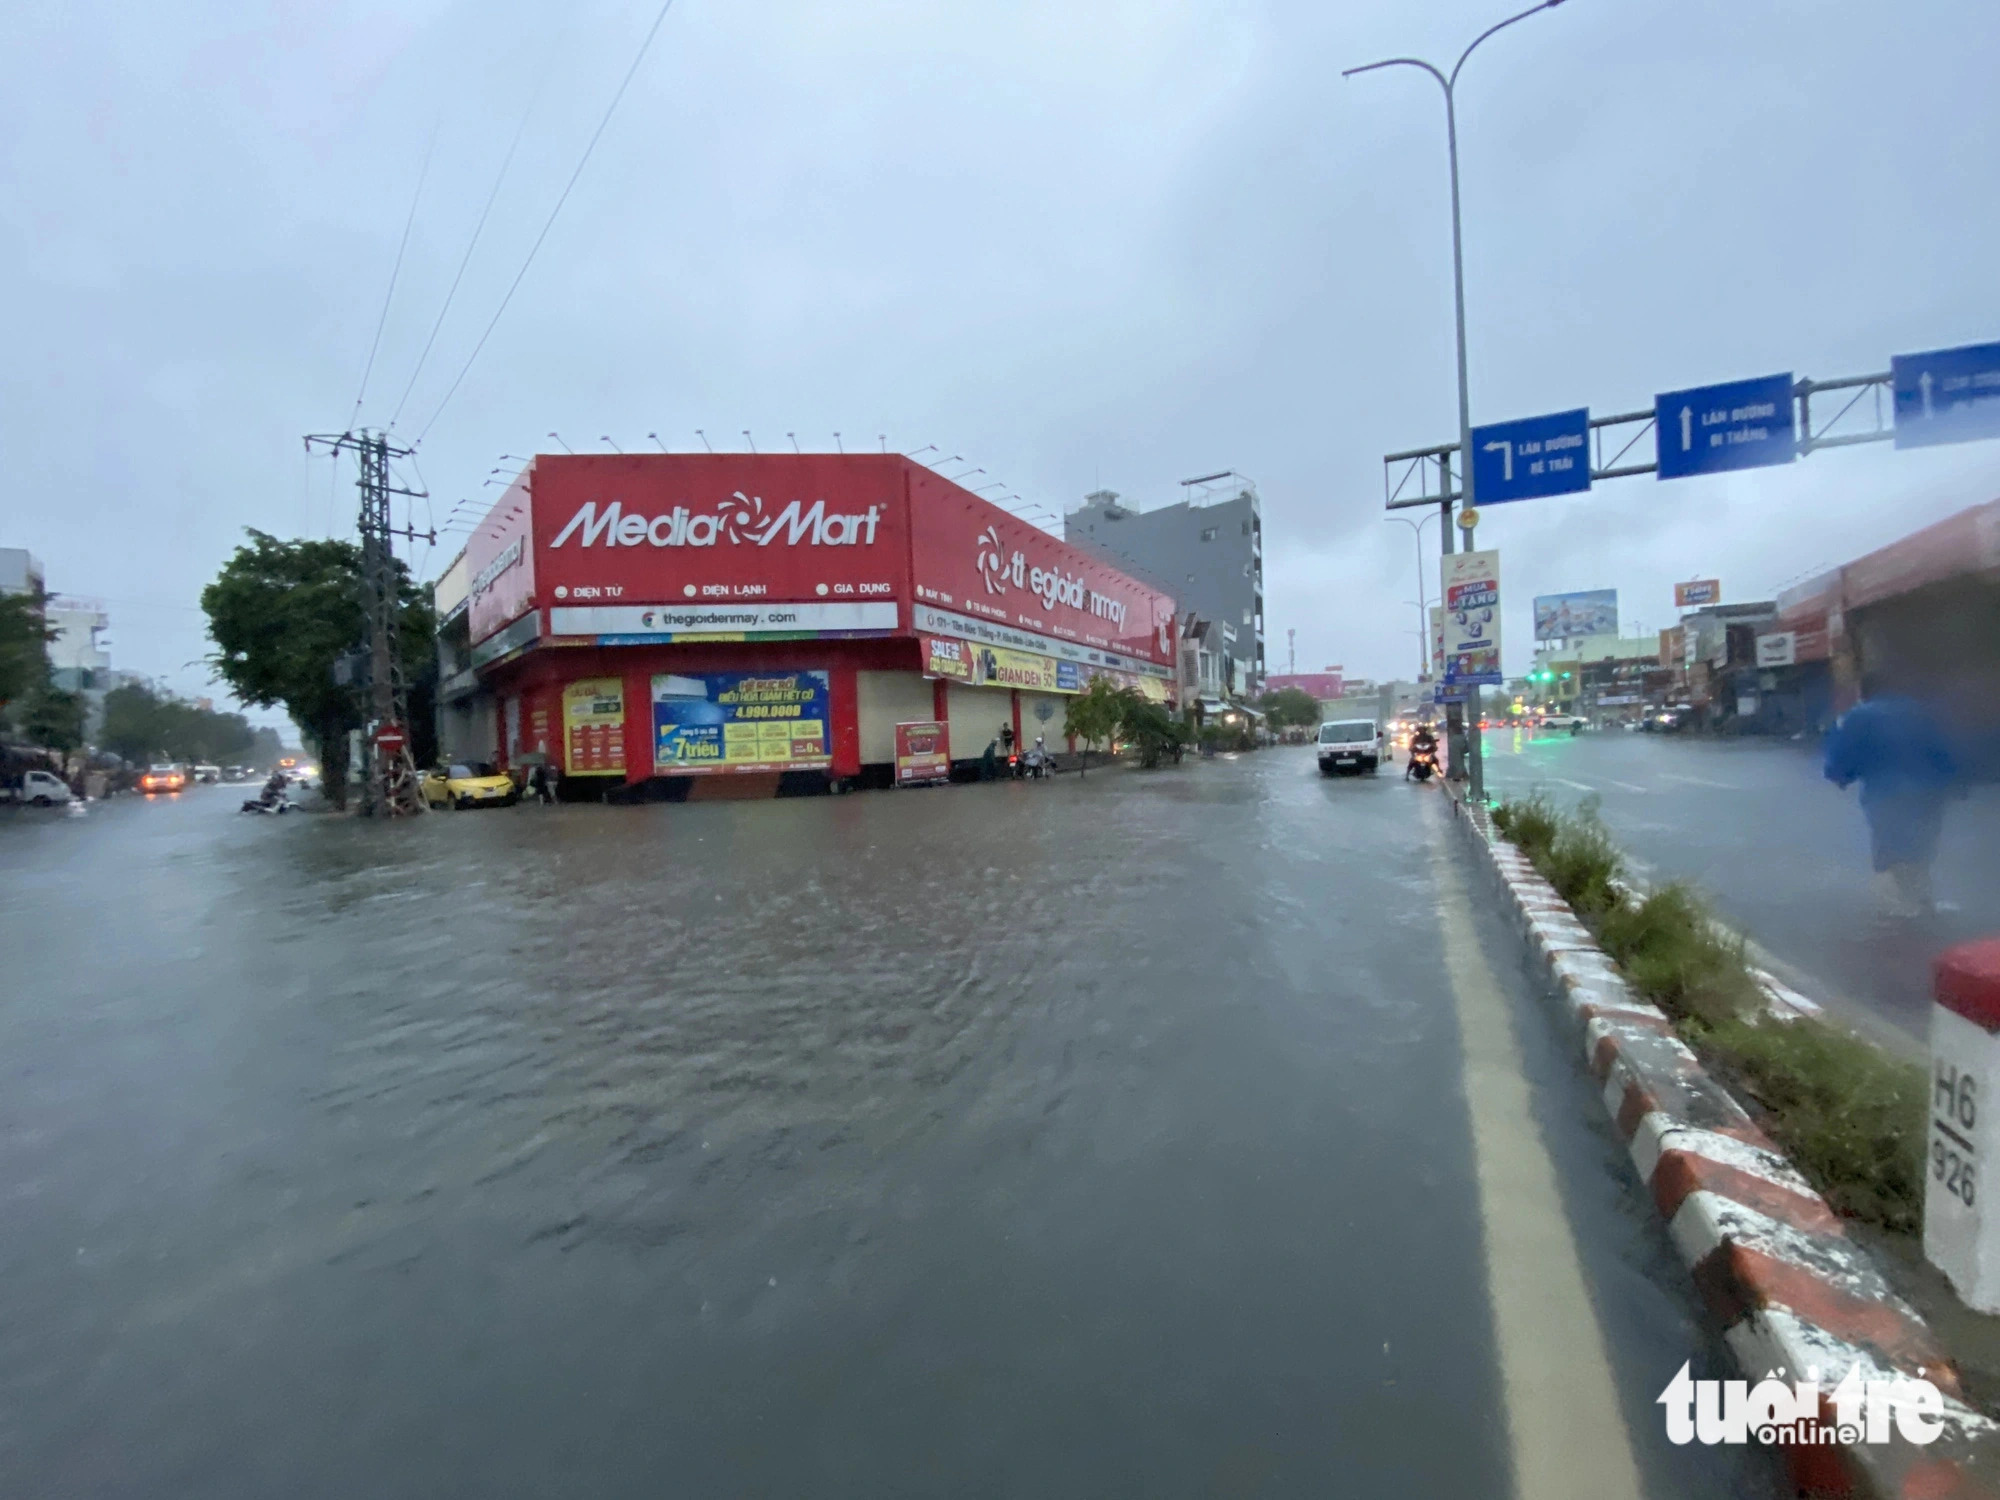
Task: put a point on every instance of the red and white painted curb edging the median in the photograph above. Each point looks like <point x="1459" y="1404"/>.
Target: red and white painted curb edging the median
<point x="1771" y="1259"/>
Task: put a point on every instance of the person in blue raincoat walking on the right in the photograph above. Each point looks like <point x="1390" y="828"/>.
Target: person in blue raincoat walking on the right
<point x="1895" y="749"/>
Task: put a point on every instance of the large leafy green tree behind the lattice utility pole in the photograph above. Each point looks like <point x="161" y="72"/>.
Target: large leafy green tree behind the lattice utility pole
<point x="281" y="613"/>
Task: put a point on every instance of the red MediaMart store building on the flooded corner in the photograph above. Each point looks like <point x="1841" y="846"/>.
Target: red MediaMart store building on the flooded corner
<point x="773" y="619"/>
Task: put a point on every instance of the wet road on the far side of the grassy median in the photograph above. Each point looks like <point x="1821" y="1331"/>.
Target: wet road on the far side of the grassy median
<point x="1781" y="853"/>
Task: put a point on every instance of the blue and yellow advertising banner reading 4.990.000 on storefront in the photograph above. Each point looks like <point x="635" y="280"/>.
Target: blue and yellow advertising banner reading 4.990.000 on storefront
<point x="741" y="723"/>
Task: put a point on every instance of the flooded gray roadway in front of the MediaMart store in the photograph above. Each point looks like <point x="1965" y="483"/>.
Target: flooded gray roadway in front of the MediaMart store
<point x="1073" y="1139"/>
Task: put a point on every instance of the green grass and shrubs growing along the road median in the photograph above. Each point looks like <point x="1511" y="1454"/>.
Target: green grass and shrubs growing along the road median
<point x="1849" y="1115"/>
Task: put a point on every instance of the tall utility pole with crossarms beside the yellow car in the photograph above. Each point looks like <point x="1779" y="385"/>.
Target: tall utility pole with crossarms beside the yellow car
<point x="391" y="787"/>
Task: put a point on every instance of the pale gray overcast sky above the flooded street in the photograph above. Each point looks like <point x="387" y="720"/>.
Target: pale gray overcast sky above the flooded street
<point x="1085" y="245"/>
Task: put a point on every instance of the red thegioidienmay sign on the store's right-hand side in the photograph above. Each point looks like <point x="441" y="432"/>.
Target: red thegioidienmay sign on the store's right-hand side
<point x="977" y="561"/>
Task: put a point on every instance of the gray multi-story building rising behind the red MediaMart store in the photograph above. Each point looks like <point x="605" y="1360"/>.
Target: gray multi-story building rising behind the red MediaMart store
<point x="1205" y="551"/>
